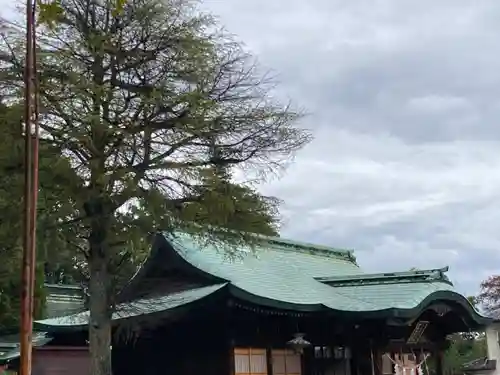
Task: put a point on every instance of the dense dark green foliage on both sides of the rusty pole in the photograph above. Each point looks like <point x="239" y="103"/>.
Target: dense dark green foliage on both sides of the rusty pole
<point x="53" y="206"/>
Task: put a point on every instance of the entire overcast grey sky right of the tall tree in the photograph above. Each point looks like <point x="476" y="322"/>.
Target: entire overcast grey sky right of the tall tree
<point x="405" y="103"/>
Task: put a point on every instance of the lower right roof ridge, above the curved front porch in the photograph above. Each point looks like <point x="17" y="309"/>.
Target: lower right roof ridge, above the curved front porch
<point x="436" y="274"/>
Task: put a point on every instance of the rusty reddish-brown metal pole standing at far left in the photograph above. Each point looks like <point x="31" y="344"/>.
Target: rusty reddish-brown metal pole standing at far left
<point x="29" y="225"/>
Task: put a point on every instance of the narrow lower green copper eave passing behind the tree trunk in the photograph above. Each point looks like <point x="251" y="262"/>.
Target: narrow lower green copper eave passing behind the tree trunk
<point x="136" y="308"/>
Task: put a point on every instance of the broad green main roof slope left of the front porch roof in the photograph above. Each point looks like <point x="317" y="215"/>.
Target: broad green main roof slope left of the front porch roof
<point x="277" y="271"/>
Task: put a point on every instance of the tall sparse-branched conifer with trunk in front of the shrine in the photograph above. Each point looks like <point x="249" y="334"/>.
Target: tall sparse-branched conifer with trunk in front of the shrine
<point x="136" y="98"/>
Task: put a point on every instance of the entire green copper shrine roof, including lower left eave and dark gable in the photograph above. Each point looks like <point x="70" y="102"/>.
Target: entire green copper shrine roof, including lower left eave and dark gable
<point x="288" y="275"/>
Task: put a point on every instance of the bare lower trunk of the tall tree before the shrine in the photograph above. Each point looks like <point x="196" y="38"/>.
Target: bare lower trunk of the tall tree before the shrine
<point x="99" y="304"/>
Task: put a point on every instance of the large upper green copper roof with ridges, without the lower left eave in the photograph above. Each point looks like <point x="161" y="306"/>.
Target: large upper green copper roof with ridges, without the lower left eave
<point x="308" y="278"/>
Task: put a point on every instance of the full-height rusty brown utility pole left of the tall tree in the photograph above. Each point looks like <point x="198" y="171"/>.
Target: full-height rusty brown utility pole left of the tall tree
<point x="31" y="134"/>
